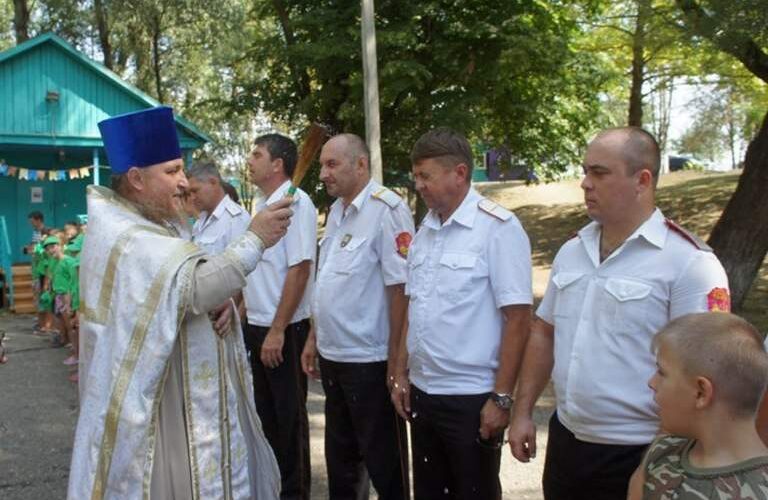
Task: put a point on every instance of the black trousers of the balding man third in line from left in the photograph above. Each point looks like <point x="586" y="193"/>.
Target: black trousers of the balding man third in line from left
<point x="364" y="437"/>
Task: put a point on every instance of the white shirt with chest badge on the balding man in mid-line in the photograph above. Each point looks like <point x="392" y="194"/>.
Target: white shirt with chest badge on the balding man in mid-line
<point x="364" y="251"/>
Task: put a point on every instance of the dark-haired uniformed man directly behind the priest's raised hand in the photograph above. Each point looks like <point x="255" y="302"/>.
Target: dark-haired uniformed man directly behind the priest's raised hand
<point x="277" y="302"/>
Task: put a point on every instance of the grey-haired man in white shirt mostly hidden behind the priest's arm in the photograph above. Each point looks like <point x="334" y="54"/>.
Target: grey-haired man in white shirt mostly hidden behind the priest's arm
<point x="221" y="220"/>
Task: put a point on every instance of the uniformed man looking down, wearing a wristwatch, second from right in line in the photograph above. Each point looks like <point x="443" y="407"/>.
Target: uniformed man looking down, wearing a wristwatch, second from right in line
<point x="469" y="285"/>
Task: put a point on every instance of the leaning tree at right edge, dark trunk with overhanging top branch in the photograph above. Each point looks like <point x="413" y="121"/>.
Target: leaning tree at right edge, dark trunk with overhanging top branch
<point x="740" y="237"/>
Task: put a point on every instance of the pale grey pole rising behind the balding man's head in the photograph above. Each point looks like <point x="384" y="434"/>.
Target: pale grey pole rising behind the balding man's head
<point x="371" y="84"/>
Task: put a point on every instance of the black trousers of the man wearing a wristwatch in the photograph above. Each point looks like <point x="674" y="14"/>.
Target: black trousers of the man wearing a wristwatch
<point x="448" y="461"/>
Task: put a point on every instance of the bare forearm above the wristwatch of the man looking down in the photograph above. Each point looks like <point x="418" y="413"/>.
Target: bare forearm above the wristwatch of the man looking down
<point x="514" y="337"/>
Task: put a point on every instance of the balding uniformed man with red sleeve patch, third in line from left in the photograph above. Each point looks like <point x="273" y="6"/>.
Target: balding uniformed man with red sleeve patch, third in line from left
<point x="358" y="312"/>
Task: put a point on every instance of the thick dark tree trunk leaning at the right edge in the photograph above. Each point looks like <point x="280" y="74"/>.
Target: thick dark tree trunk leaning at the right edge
<point x="740" y="237"/>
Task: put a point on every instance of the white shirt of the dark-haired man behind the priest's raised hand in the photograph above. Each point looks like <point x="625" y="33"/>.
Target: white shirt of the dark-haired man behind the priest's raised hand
<point x="265" y="283"/>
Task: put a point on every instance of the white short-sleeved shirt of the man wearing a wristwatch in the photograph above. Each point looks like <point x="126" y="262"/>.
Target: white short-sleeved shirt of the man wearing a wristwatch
<point x="460" y="273"/>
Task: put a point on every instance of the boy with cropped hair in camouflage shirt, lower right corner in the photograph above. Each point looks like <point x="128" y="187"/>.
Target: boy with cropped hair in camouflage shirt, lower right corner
<point x="711" y="376"/>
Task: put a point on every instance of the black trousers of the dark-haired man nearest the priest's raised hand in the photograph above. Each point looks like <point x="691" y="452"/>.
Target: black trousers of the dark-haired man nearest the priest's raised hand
<point x="281" y="401"/>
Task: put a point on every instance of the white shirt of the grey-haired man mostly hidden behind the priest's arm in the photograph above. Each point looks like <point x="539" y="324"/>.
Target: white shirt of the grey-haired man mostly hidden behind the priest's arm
<point x="225" y="224"/>
